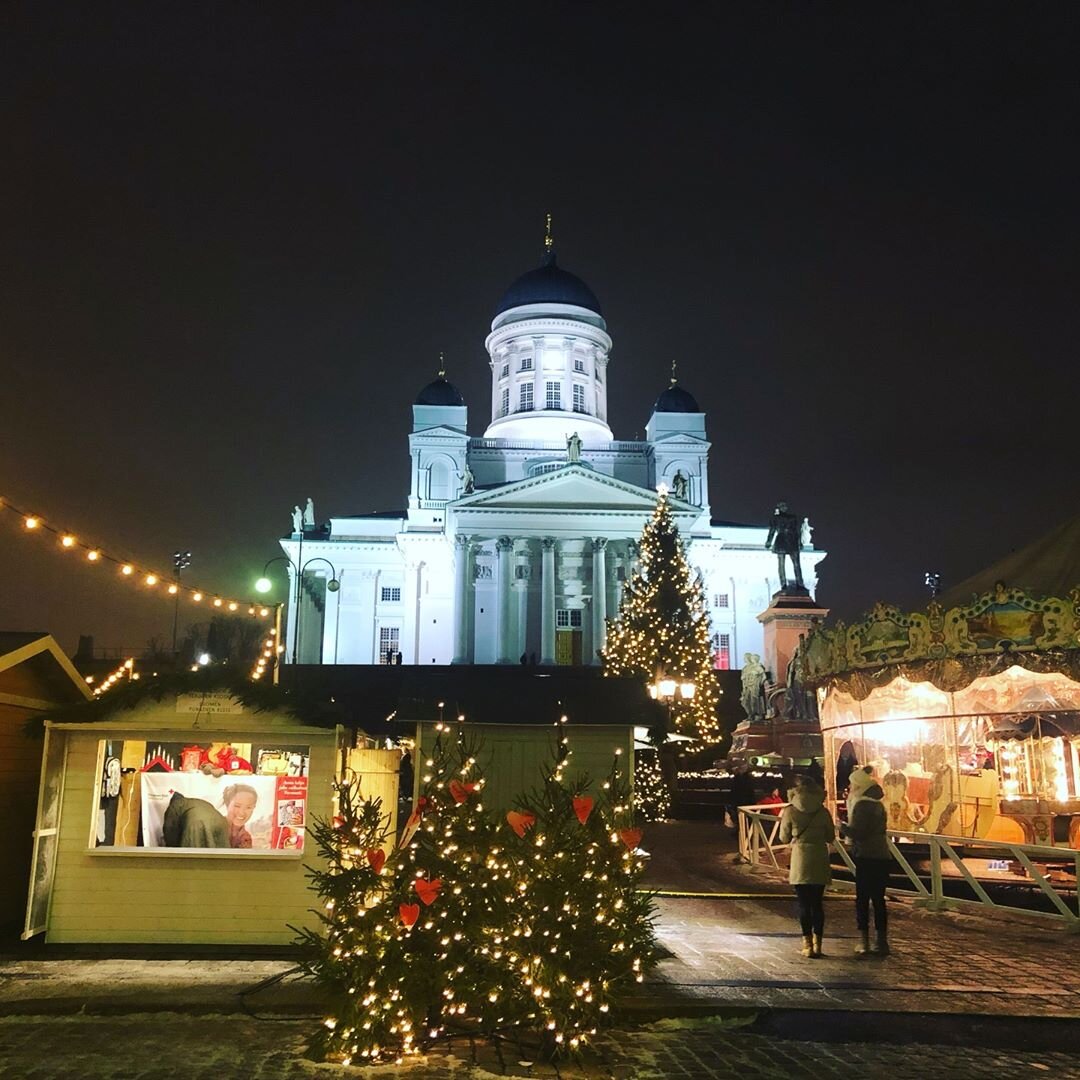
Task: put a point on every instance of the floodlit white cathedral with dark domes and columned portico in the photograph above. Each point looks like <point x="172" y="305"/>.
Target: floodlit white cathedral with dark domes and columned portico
<point x="517" y="545"/>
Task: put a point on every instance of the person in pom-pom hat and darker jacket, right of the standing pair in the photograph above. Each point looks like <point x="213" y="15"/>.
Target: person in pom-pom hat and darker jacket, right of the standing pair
<point x="870" y="849"/>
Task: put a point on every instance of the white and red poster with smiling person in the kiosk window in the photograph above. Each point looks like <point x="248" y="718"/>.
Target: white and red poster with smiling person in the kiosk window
<point x="245" y="813"/>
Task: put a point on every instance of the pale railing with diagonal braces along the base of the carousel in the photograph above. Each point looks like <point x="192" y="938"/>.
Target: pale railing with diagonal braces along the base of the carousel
<point x="1048" y="873"/>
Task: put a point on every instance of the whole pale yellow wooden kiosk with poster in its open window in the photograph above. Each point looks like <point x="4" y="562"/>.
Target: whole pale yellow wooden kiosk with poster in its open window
<point x="182" y="820"/>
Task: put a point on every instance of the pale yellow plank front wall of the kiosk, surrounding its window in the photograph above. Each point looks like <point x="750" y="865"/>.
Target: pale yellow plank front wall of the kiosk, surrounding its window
<point x="181" y="899"/>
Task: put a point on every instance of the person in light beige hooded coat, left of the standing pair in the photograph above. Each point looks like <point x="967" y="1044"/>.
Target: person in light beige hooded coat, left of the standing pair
<point x="808" y="828"/>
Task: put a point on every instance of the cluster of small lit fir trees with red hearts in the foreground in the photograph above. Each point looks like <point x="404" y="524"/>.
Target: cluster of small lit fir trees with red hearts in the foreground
<point x="475" y="922"/>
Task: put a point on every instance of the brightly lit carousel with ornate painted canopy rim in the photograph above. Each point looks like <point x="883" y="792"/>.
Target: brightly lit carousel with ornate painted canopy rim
<point x="968" y="713"/>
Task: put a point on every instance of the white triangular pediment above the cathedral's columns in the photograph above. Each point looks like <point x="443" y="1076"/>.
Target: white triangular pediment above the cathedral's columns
<point x="574" y="488"/>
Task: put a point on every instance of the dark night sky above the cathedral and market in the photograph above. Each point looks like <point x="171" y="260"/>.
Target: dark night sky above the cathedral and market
<point x="237" y="237"/>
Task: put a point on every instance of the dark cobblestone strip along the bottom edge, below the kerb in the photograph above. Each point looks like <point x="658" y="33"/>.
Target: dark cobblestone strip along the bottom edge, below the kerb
<point x="169" y="1047"/>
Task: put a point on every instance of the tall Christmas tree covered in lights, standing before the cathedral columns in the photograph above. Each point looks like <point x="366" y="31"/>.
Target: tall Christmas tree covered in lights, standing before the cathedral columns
<point x="663" y="627"/>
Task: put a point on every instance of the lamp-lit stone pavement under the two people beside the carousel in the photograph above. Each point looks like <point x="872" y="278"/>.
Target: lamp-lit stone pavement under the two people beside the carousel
<point x="742" y="946"/>
